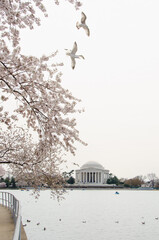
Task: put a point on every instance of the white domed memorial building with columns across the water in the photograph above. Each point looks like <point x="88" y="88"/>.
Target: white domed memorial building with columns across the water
<point x="91" y="173"/>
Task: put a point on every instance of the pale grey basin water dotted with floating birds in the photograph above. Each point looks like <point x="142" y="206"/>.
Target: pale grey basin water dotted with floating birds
<point x="91" y="215"/>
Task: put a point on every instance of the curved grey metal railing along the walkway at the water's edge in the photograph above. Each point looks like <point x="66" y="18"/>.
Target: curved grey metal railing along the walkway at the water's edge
<point x="8" y="200"/>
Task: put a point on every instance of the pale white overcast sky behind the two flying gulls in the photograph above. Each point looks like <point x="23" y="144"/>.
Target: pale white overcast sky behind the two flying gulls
<point x="118" y="82"/>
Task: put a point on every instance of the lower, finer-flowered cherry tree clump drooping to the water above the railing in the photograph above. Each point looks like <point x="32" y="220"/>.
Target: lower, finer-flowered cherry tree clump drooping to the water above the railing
<point x="32" y="163"/>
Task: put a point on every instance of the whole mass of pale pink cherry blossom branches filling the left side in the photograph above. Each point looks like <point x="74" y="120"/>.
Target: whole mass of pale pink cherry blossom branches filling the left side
<point x="34" y="85"/>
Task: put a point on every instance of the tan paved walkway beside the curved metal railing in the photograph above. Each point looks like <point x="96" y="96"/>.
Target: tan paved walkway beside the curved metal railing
<point x="7" y="225"/>
